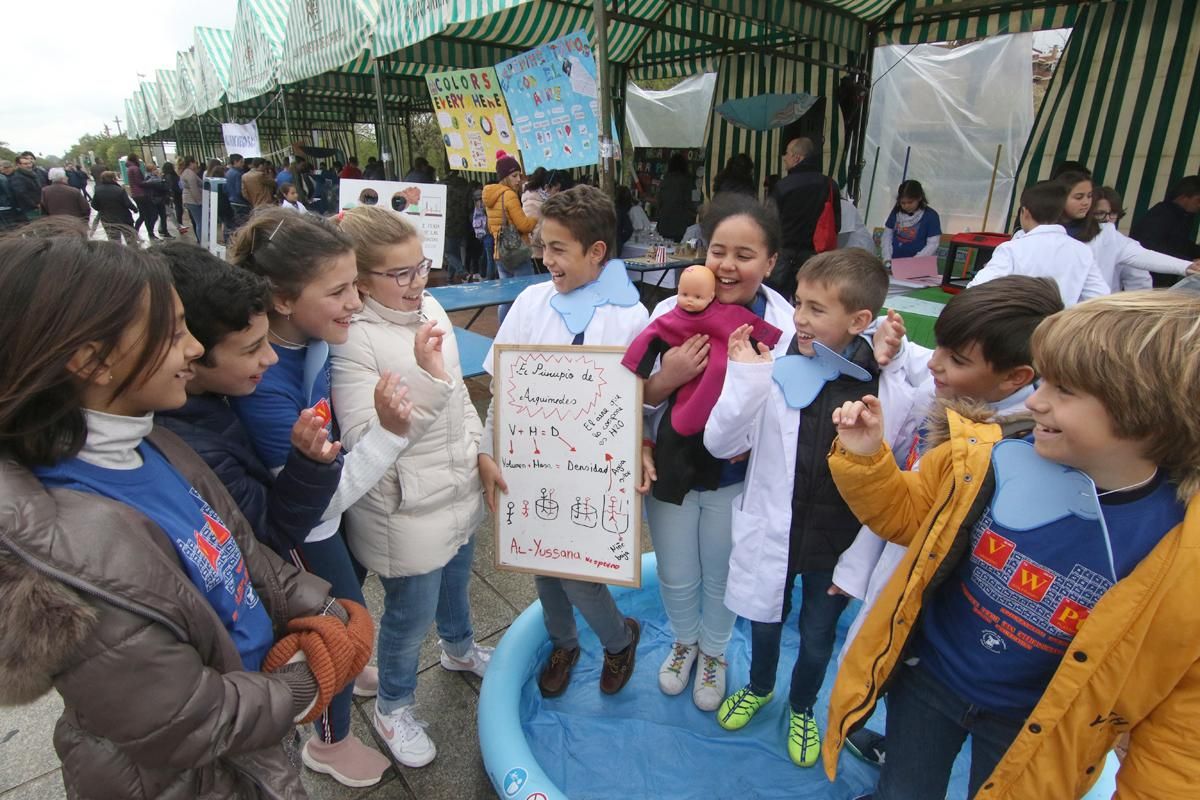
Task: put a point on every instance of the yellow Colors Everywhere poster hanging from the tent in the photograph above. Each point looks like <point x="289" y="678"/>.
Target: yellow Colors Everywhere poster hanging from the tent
<point x="473" y="117"/>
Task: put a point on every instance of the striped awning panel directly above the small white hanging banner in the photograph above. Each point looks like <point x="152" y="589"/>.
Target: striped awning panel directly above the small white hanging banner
<point x="259" y="34"/>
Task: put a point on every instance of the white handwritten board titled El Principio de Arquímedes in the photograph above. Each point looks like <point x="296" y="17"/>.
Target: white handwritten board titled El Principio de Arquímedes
<point x="568" y="440"/>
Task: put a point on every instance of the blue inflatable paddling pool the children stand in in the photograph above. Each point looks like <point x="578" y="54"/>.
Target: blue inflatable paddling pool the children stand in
<point x="640" y="743"/>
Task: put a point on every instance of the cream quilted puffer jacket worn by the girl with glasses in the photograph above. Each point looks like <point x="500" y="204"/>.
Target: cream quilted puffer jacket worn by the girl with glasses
<point x="430" y="502"/>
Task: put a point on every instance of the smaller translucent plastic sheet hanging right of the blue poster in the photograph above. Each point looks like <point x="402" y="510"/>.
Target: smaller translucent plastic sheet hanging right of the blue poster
<point x="676" y="118"/>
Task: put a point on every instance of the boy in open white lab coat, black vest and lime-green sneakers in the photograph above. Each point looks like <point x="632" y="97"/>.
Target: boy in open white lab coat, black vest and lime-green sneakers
<point x="790" y="520"/>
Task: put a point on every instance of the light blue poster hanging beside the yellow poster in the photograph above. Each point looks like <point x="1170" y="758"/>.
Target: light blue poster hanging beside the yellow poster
<point x="555" y="104"/>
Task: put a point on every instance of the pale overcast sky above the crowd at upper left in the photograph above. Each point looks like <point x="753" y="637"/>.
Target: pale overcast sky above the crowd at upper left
<point x="67" y="81"/>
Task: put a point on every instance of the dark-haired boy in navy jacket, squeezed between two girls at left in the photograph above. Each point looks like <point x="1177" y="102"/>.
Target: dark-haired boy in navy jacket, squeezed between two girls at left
<point x="226" y="312"/>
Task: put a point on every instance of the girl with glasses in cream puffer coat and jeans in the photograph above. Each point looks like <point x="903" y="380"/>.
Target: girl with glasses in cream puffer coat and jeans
<point x="416" y="528"/>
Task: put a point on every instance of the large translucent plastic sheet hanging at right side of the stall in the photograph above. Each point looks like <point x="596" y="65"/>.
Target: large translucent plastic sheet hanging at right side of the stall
<point x="953" y="107"/>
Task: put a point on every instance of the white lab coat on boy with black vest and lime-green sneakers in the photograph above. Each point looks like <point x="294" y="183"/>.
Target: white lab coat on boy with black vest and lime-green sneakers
<point x="753" y="416"/>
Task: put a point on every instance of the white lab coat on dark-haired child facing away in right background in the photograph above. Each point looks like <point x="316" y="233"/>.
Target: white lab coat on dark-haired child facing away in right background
<point x="1049" y="252"/>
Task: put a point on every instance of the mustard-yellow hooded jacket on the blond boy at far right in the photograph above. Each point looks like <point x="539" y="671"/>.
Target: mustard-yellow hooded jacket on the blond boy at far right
<point x="1133" y="667"/>
